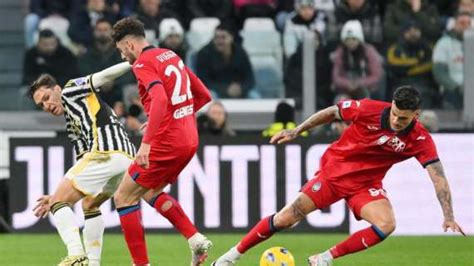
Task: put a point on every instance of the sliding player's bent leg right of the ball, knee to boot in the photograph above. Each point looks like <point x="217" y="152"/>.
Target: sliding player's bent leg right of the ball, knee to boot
<point x="379" y="213"/>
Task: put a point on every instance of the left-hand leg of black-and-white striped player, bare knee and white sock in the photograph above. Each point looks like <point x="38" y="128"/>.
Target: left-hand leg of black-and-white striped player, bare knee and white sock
<point x="65" y="221"/>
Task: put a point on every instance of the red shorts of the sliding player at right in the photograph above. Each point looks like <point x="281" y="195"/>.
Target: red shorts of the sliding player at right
<point x="323" y="194"/>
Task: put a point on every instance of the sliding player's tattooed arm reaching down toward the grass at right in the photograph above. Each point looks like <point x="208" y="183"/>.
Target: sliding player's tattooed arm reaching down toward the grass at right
<point x="436" y="172"/>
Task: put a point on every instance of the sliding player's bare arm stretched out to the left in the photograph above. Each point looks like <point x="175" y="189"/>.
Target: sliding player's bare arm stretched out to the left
<point x="322" y="117"/>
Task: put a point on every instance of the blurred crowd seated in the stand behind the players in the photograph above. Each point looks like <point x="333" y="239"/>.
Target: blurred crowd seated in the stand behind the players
<point x="363" y="48"/>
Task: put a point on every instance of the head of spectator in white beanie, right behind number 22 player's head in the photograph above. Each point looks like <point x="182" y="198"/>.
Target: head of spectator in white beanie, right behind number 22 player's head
<point x="172" y="37"/>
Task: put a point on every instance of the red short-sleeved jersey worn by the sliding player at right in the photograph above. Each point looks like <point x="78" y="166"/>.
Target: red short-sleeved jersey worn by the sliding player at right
<point x="368" y="148"/>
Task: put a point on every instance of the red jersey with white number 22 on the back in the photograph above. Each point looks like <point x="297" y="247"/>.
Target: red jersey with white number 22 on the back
<point x="170" y="94"/>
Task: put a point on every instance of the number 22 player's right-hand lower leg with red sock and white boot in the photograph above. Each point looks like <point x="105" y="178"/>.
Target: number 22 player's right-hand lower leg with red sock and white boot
<point x="170" y="208"/>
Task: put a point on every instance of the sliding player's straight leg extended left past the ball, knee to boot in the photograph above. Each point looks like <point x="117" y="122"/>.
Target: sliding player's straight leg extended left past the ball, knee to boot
<point x="285" y="218"/>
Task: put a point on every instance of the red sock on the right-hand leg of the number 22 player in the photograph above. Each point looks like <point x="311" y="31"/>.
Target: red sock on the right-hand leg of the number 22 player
<point x="171" y="210"/>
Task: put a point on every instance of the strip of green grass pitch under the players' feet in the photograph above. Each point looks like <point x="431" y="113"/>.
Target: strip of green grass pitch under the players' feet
<point x="172" y="250"/>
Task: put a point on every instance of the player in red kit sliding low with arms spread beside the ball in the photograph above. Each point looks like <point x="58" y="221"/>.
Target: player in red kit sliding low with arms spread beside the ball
<point x="380" y="135"/>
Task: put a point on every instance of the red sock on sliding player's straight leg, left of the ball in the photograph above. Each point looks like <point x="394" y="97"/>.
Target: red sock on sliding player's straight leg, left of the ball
<point x="259" y="233"/>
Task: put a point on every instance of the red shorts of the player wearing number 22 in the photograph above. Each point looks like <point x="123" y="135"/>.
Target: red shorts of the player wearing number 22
<point x="164" y="167"/>
